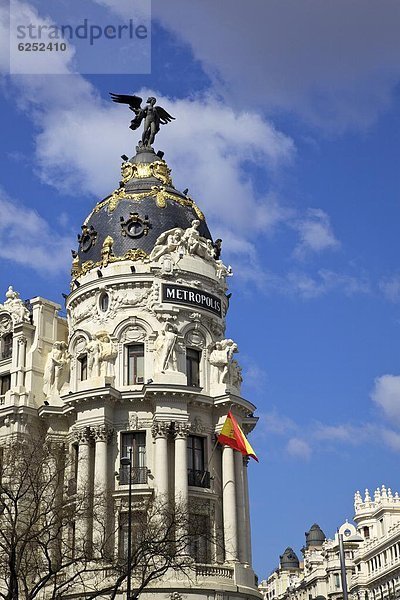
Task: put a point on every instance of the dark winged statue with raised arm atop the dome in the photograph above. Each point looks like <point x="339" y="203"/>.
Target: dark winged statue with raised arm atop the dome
<point x="152" y="115"/>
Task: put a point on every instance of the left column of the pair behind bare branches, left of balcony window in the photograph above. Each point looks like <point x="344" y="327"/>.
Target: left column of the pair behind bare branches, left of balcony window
<point x="84" y="491"/>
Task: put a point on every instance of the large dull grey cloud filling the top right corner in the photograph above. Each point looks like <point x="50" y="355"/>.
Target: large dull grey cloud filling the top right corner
<point x="335" y="62"/>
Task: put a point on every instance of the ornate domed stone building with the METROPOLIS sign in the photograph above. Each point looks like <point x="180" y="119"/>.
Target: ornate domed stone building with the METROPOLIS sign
<point x="142" y="361"/>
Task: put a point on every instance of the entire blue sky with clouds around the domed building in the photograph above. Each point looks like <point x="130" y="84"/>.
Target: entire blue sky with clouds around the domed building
<point x="288" y="136"/>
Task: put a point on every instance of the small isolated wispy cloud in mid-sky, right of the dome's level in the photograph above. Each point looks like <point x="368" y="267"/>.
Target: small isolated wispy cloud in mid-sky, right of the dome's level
<point x="315" y="233"/>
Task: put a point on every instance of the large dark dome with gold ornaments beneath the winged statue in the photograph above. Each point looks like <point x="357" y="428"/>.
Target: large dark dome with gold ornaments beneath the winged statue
<point x="146" y="205"/>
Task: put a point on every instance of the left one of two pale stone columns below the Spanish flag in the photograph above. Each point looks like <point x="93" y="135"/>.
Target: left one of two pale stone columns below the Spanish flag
<point x="229" y="504"/>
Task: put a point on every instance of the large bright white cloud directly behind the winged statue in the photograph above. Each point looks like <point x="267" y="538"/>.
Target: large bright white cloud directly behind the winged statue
<point x="210" y="146"/>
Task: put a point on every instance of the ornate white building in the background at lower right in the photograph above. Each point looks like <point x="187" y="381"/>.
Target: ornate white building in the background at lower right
<point x="372" y="557"/>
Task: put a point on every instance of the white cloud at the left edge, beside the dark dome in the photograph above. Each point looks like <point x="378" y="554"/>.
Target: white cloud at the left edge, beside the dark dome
<point x="26" y="238"/>
